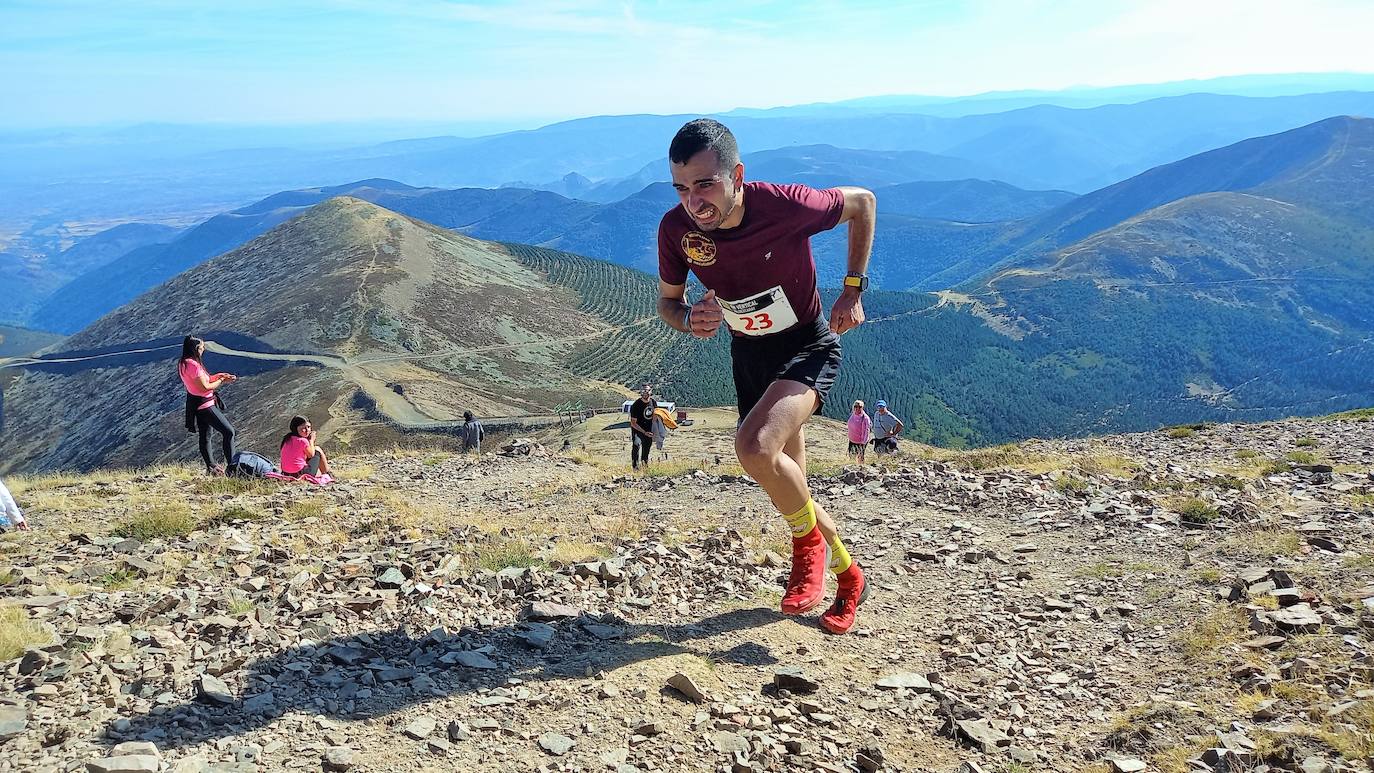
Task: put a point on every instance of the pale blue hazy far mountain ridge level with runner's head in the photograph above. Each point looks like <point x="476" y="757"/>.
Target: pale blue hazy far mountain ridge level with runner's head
<point x="1035" y="148"/>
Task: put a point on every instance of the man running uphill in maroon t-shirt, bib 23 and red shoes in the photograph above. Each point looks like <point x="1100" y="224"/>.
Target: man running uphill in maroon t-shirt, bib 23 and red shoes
<point x="750" y="244"/>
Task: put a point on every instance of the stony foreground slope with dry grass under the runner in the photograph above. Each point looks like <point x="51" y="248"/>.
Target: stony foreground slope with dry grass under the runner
<point x="1177" y="601"/>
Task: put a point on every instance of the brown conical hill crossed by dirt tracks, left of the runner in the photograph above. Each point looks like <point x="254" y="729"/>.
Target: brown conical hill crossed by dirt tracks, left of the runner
<point x="381" y="319"/>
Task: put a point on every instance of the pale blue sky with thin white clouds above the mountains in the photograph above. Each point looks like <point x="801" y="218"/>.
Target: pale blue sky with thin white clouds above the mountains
<point x="67" y="62"/>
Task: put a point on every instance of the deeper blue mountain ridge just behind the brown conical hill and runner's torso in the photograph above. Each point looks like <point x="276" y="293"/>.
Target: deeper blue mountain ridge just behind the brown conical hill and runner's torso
<point x="622" y="233"/>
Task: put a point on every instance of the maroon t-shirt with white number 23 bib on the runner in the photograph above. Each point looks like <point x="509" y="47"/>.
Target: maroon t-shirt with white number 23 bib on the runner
<point x="762" y="270"/>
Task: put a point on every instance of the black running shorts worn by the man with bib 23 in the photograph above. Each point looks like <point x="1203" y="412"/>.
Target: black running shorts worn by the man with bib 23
<point x="807" y="354"/>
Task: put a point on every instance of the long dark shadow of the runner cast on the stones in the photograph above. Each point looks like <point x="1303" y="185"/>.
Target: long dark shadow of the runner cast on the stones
<point x="374" y="675"/>
